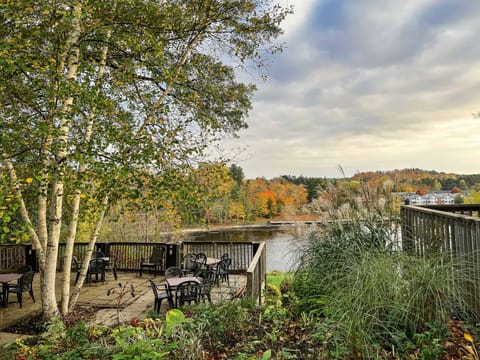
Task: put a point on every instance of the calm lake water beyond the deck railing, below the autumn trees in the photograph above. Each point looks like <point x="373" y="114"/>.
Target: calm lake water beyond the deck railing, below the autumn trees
<point x="280" y="243"/>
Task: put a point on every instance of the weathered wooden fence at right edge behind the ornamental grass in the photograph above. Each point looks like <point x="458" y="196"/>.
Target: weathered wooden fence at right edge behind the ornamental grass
<point x="432" y="229"/>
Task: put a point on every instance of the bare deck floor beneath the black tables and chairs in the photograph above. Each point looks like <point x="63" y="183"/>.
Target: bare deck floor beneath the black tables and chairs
<point x="96" y="296"/>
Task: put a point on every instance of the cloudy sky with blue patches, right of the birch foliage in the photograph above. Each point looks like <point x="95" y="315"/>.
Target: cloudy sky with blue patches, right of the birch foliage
<point x="368" y="85"/>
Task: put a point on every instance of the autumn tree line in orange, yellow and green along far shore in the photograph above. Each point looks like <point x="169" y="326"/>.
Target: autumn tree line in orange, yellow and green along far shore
<point x="214" y="193"/>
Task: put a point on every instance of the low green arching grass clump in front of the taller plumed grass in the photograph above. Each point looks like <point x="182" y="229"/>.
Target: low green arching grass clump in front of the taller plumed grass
<point x="388" y="298"/>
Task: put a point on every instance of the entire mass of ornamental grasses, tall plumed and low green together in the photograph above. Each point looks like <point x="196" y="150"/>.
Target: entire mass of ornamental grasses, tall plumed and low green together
<point x="351" y="270"/>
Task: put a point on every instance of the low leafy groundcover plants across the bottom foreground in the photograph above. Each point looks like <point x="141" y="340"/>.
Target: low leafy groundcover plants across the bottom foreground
<point x="239" y="330"/>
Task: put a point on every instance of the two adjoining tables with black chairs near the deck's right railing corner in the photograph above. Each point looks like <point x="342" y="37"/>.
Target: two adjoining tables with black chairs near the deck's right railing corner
<point x="192" y="282"/>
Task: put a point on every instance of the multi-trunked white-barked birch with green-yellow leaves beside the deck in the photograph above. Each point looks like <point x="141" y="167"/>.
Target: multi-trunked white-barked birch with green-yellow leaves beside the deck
<point x="96" y="96"/>
